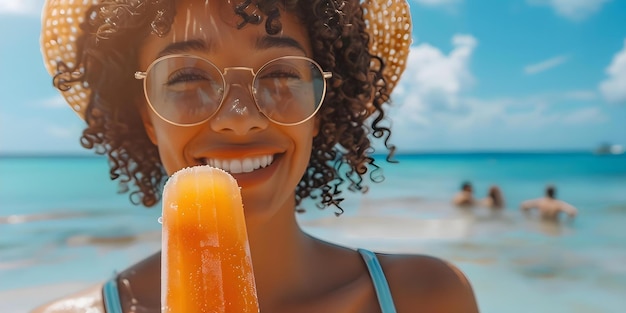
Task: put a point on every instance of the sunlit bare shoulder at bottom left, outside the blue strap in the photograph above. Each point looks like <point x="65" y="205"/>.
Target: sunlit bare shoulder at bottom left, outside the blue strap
<point x="87" y="300"/>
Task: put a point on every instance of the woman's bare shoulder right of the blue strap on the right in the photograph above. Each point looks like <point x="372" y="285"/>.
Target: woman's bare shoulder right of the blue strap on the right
<point x="427" y="284"/>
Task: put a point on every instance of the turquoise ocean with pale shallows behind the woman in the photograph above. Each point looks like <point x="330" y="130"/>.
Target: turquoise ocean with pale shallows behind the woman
<point x="61" y="220"/>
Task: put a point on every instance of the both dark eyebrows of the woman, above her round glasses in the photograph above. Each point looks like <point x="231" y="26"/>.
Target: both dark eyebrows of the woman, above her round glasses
<point x="262" y="43"/>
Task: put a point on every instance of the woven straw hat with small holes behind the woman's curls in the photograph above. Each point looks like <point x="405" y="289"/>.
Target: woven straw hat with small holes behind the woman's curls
<point x="388" y="22"/>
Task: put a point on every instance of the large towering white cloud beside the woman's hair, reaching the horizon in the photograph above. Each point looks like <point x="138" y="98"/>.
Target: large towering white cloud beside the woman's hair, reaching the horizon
<point x="431" y="108"/>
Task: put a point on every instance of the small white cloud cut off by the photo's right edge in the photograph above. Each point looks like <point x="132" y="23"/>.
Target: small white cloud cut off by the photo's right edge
<point x="614" y="87"/>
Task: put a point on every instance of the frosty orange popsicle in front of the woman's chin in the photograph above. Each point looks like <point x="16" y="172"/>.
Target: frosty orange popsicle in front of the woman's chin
<point x="206" y="265"/>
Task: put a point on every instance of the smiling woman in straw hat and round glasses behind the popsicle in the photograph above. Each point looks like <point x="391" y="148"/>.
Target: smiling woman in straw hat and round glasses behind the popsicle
<point x="281" y="94"/>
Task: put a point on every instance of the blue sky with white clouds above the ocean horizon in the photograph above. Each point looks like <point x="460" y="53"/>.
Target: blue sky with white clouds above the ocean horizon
<point x="482" y="75"/>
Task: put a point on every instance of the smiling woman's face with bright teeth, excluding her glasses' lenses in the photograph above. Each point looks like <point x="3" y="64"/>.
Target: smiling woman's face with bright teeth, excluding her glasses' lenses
<point x="267" y="159"/>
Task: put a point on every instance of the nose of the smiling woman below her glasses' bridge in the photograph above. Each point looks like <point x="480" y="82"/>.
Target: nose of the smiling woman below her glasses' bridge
<point x="238" y="113"/>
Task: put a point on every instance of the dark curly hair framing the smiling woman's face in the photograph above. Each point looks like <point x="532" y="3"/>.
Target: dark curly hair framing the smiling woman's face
<point x="351" y="112"/>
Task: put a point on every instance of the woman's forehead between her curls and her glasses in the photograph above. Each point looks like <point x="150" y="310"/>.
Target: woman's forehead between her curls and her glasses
<point x="215" y="24"/>
